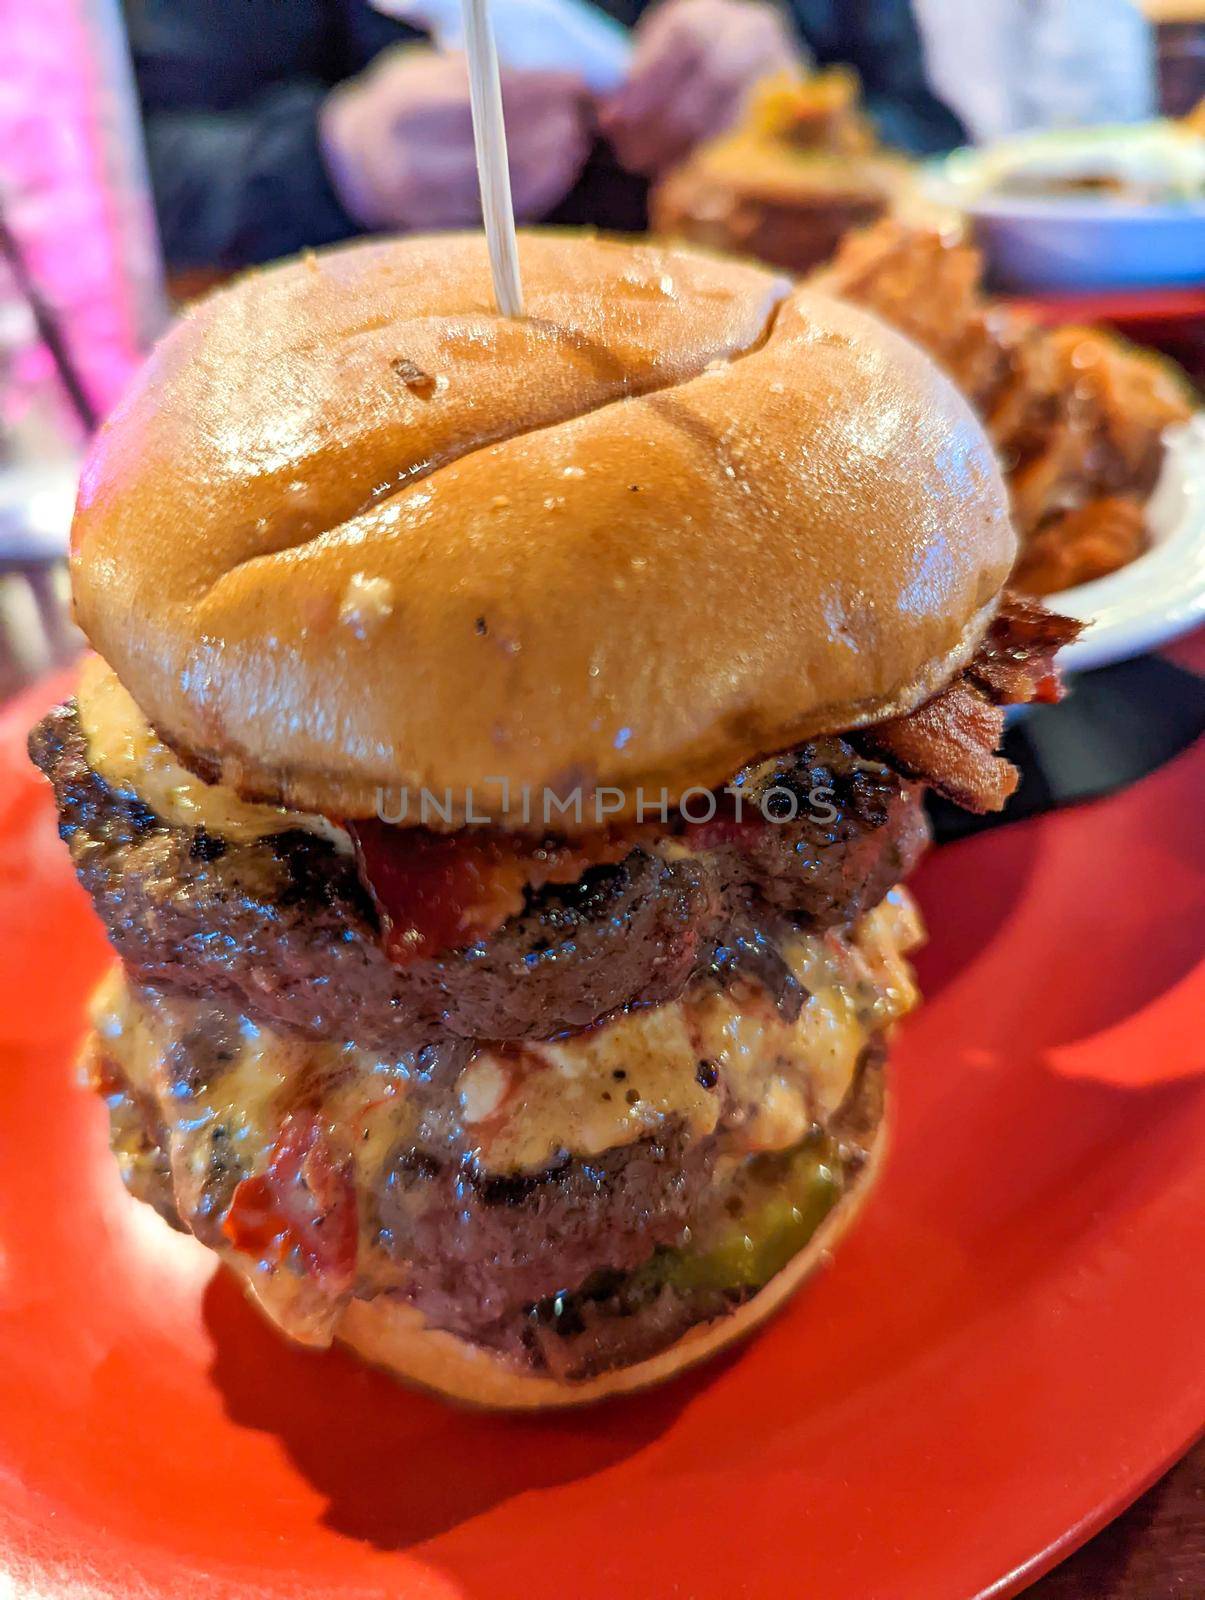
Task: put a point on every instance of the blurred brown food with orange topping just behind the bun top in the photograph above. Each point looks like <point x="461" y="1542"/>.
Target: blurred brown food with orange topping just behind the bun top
<point x="791" y="182"/>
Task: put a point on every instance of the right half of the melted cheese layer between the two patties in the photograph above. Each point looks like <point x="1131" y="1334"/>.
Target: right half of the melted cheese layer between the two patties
<point x="774" y="1079"/>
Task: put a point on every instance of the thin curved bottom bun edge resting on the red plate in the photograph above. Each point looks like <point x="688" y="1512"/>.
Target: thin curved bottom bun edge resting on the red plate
<point x="398" y="1340"/>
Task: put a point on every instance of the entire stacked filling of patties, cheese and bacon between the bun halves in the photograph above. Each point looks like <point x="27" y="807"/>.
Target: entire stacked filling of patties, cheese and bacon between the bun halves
<point x="566" y="1098"/>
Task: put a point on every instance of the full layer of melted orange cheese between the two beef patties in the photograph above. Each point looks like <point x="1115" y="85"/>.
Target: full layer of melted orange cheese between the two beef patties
<point x="713" y="1058"/>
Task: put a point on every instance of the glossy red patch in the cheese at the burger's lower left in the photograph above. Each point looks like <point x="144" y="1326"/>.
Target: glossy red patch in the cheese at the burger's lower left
<point x="305" y="1201"/>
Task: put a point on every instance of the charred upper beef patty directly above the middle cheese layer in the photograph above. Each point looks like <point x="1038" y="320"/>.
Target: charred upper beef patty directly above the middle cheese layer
<point x="284" y="929"/>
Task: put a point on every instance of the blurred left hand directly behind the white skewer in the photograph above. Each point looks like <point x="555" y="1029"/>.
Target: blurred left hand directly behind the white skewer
<point x="398" y="142"/>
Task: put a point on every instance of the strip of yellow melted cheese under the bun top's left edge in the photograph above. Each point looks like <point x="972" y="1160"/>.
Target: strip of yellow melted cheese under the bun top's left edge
<point x="124" y="750"/>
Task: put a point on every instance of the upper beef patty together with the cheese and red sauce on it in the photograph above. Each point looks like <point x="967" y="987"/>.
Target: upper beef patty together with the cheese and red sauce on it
<point x="295" y="927"/>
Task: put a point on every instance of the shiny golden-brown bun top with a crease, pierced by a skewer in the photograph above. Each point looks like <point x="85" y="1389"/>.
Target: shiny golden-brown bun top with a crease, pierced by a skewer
<point x="354" y="530"/>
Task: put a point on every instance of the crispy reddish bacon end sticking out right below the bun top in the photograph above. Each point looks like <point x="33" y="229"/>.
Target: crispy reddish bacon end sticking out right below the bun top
<point x="951" y="742"/>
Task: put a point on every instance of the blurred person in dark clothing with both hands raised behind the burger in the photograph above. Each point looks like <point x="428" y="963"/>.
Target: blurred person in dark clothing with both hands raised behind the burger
<point x="279" y="126"/>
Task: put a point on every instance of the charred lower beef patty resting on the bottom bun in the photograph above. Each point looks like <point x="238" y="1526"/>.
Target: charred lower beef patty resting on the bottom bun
<point x="599" y="1263"/>
